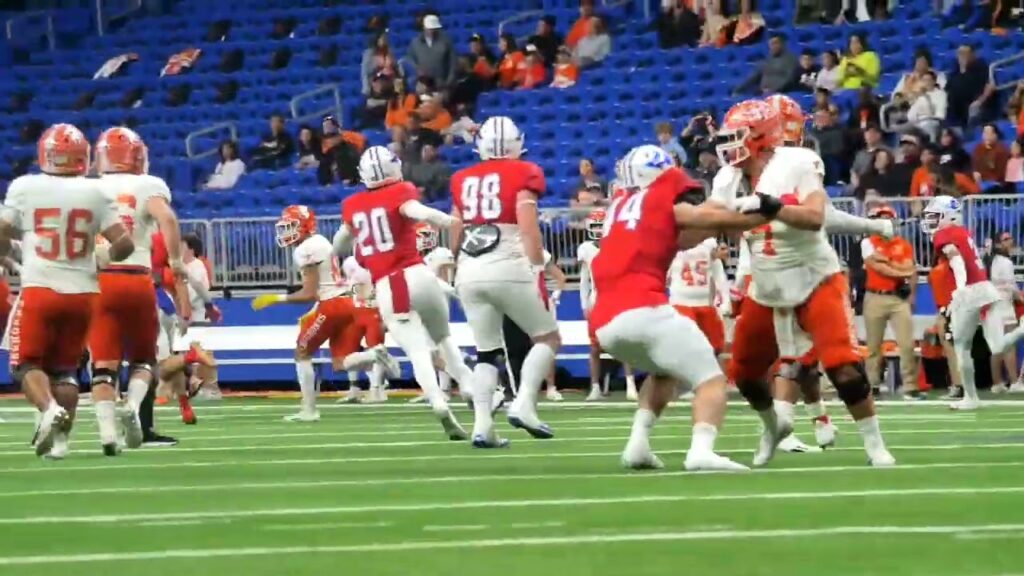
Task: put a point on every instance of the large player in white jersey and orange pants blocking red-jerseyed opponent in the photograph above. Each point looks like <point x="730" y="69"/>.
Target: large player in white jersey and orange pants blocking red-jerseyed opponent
<point x="796" y="277"/>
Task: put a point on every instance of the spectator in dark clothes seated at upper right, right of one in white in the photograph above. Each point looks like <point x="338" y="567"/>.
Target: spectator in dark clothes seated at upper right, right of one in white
<point x="971" y="94"/>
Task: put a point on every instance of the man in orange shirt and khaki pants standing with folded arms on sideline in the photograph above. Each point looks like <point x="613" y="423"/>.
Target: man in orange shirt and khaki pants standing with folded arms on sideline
<point x="891" y="279"/>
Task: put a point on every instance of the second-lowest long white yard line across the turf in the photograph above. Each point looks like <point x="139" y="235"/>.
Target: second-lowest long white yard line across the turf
<point x="430" y="507"/>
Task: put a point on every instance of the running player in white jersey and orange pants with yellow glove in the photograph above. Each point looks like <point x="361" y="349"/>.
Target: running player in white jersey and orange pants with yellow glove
<point x="333" y="317"/>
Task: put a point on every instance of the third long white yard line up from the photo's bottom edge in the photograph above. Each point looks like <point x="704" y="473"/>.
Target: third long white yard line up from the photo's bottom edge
<point x="488" y="479"/>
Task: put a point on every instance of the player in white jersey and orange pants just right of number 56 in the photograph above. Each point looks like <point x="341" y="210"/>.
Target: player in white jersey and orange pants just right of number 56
<point x="125" y="326"/>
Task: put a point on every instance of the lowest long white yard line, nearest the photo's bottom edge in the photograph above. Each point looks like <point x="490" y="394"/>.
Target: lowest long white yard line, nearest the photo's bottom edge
<point x="403" y="547"/>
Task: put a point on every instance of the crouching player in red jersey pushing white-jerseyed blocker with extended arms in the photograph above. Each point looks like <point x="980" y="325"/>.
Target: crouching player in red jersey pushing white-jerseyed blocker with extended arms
<point x="632" y="318"/>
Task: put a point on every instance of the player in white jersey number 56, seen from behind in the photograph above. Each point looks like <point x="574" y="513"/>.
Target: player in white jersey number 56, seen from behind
<point x="58" y="216"/>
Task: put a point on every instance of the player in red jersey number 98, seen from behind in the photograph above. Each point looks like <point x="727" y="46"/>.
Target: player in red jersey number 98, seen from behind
<point x="501" y="268"/>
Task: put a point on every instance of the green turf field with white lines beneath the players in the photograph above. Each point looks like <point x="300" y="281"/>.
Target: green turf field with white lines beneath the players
<point x="378" y="491"/>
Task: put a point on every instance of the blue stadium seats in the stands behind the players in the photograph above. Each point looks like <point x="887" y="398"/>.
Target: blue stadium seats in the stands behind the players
<point x="612" y="109"/>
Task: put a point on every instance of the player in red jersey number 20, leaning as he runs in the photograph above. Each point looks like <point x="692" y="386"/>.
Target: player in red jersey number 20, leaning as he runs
<point x="381" y="222"/>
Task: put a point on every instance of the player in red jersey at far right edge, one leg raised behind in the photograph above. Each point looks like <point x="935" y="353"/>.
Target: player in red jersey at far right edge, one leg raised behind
<point x="974" y="296"/>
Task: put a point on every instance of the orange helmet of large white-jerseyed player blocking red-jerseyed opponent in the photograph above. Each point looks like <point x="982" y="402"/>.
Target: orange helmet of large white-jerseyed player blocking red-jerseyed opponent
<point x="749" y="129"/>
